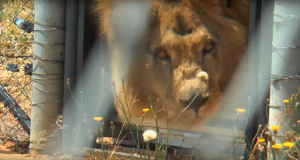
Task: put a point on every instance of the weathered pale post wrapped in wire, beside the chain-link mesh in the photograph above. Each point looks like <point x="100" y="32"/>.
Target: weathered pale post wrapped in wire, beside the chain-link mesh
<point x="47" y="74"/>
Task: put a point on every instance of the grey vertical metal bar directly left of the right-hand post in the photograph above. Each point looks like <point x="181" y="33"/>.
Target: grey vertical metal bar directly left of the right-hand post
<point x="265" y="57"/>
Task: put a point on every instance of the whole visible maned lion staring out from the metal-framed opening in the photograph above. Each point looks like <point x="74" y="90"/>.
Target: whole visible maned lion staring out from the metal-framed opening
<point x="182" y="60"/>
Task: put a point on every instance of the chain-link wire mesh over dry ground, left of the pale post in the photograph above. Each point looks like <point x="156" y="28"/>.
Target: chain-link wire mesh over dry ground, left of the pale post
<point x="16" y="57"/>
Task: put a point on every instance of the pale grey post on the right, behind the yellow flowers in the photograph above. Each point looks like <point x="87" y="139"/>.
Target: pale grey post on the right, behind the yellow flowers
<point x="285" y="61"/>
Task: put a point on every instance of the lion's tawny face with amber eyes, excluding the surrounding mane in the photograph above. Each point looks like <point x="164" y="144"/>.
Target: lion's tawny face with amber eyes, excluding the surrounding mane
<point x="183" y="57"/>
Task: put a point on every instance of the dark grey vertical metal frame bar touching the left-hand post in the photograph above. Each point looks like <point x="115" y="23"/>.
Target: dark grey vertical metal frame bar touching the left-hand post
<point x="70" y="70"/>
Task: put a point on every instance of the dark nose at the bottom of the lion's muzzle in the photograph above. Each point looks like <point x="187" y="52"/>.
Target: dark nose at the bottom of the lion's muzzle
<point x="195" y="102"/>
